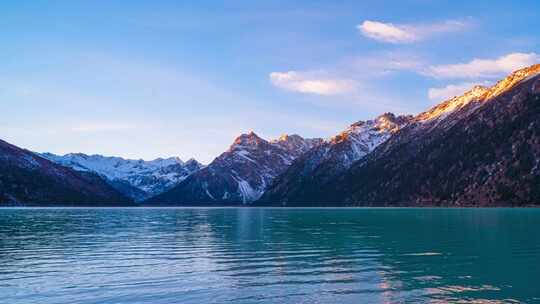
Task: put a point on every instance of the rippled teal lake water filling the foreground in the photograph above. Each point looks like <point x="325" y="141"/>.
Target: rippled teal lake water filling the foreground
<point x="248" y="255"/>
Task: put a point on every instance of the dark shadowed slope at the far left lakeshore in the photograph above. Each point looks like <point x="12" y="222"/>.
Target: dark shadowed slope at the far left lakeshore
<point x="28" y="179"/>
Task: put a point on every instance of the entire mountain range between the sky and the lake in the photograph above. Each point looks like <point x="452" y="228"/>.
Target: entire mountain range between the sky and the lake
<point x="478" y="149"/>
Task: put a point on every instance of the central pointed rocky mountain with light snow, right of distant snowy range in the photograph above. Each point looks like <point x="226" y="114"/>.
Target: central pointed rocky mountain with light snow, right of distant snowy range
<point x="242" y="173"/>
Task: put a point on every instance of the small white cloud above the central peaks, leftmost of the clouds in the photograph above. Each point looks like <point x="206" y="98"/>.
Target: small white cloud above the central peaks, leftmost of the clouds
<point x="311" y="83"/>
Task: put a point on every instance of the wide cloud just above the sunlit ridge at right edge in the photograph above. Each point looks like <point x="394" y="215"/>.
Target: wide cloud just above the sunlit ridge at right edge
<point x="484" y="68"/>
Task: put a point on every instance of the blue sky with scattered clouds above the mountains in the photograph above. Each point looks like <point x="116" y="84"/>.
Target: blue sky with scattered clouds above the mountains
<point x="147" y="79"/>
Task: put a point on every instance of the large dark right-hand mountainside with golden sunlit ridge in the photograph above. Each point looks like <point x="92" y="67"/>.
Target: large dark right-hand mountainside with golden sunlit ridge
<point x="480" y="149"/>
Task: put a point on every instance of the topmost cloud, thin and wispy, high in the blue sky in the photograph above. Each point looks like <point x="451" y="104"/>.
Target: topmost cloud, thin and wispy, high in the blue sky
<point x="407" y="33"/>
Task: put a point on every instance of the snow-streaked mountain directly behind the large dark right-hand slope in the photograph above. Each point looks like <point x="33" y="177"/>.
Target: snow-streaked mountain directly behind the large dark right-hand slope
<point x="330" y="159"/>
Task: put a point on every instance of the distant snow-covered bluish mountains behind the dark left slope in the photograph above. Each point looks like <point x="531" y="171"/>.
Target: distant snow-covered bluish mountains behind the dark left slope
<point x="138" y="179"/>
